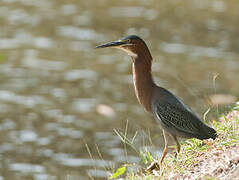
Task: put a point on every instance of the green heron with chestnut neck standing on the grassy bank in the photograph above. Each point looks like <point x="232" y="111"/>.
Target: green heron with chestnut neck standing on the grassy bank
<point x="175" y="118"/>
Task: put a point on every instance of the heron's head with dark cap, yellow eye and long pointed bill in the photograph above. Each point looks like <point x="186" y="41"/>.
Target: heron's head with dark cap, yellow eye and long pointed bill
<point x="132" y="45"/>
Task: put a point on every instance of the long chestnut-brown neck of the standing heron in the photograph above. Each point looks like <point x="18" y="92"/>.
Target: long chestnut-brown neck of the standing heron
<point x="143" y="80"/>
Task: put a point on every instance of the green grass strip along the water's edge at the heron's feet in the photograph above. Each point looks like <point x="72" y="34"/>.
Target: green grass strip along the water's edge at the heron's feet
<point x="192" y="154"/>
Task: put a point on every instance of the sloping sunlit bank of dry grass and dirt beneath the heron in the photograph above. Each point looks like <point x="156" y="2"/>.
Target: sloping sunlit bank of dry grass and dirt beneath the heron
<point x="208" y="159"/>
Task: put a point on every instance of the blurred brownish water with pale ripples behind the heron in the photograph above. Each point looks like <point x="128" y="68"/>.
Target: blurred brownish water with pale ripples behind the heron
<point x="62" y="101"/>
